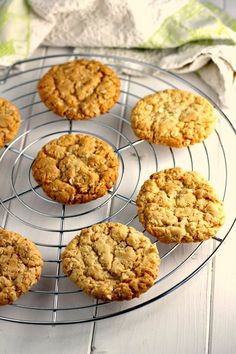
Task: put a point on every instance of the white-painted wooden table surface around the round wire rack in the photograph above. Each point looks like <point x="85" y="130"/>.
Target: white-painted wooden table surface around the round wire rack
<point x="198" y="318"/>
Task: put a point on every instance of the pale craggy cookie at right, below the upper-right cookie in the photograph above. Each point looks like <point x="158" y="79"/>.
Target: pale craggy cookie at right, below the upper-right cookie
<point x="175" y="205"/>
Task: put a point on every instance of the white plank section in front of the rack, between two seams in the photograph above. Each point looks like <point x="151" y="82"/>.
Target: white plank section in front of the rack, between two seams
<point x="176" y="324"/>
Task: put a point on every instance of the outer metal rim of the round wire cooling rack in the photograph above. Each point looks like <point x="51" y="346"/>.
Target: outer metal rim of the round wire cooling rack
<point x="187" y="278"/>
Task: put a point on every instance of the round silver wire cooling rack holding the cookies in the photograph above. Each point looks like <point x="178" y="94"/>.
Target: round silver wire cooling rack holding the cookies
<point x="50" y="225"/>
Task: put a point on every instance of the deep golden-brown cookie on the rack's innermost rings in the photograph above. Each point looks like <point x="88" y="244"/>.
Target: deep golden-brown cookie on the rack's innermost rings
<point x="76" y="168"/>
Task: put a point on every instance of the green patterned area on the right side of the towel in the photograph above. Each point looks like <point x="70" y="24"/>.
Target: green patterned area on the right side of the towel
<point x="196" y="23"/>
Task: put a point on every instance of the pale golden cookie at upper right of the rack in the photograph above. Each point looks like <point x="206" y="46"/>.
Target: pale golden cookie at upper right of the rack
<point x="173" y="118"/>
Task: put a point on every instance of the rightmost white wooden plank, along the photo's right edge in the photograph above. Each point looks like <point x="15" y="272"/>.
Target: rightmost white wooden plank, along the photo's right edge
<point x="223" y="311"/>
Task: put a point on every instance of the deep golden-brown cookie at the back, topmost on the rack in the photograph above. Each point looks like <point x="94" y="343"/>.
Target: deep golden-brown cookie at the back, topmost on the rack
<point x="79" y="89"/>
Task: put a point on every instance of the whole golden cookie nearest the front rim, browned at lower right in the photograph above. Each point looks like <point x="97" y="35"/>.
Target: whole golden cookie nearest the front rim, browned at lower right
<point x="111" y="261"/>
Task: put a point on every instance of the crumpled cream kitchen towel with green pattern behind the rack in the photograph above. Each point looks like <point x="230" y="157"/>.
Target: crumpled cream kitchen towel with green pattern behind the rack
<point x="178" y="35"/>
